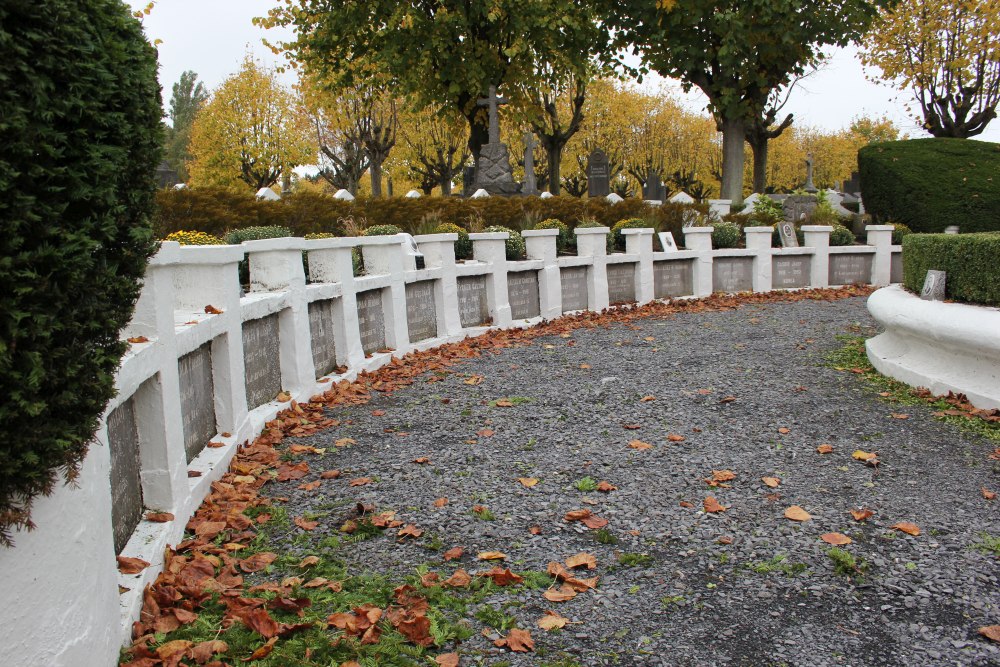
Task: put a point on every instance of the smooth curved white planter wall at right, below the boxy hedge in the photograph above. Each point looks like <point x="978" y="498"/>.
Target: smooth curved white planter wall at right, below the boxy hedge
<point x="941" y="346"/>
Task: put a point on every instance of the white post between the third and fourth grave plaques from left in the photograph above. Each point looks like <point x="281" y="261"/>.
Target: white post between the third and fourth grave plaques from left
<point x="276" y="266"/>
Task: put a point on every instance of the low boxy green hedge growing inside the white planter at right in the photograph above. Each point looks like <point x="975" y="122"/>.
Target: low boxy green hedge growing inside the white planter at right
<point x="972" y="262"/>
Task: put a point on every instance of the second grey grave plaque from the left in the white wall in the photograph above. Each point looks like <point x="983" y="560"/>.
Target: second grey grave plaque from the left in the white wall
<point x="197" y="399"/>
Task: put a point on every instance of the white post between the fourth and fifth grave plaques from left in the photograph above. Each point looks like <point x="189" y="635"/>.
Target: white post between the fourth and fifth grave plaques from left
<point x="331" y="261"/>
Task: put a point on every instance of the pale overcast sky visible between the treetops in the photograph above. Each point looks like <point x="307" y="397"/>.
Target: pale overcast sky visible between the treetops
<point x="211" y="37"/>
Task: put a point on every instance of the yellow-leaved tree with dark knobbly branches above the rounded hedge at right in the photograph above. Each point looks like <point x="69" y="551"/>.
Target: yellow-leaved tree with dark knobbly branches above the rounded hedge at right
<point x="947" y="52"/>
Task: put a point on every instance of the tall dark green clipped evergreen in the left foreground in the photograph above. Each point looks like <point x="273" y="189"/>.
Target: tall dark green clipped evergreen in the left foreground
<point x="80" y="134"/>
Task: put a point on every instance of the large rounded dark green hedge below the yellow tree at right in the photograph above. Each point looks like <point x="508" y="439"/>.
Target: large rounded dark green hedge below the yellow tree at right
<point x="928" y="184"/>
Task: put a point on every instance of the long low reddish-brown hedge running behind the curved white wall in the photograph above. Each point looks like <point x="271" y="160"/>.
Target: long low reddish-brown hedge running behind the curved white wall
<point x="216" y="211"/>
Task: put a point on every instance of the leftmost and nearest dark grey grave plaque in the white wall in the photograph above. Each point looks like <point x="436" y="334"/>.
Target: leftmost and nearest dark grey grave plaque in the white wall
<point x="126" y="485"/>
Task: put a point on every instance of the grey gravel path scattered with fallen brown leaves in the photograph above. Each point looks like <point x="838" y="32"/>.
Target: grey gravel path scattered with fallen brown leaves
<point x="681" y="586"/>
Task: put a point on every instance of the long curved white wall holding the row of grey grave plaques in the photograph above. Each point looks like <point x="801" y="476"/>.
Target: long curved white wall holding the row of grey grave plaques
<point x="195" y="381"/>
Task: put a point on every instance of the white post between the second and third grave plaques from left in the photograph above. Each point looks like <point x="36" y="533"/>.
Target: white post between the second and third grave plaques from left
<point x="209" y="276"/>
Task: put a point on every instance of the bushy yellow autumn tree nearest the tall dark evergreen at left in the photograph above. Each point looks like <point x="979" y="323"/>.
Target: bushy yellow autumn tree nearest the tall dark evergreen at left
<point x="249" y="133"/>
